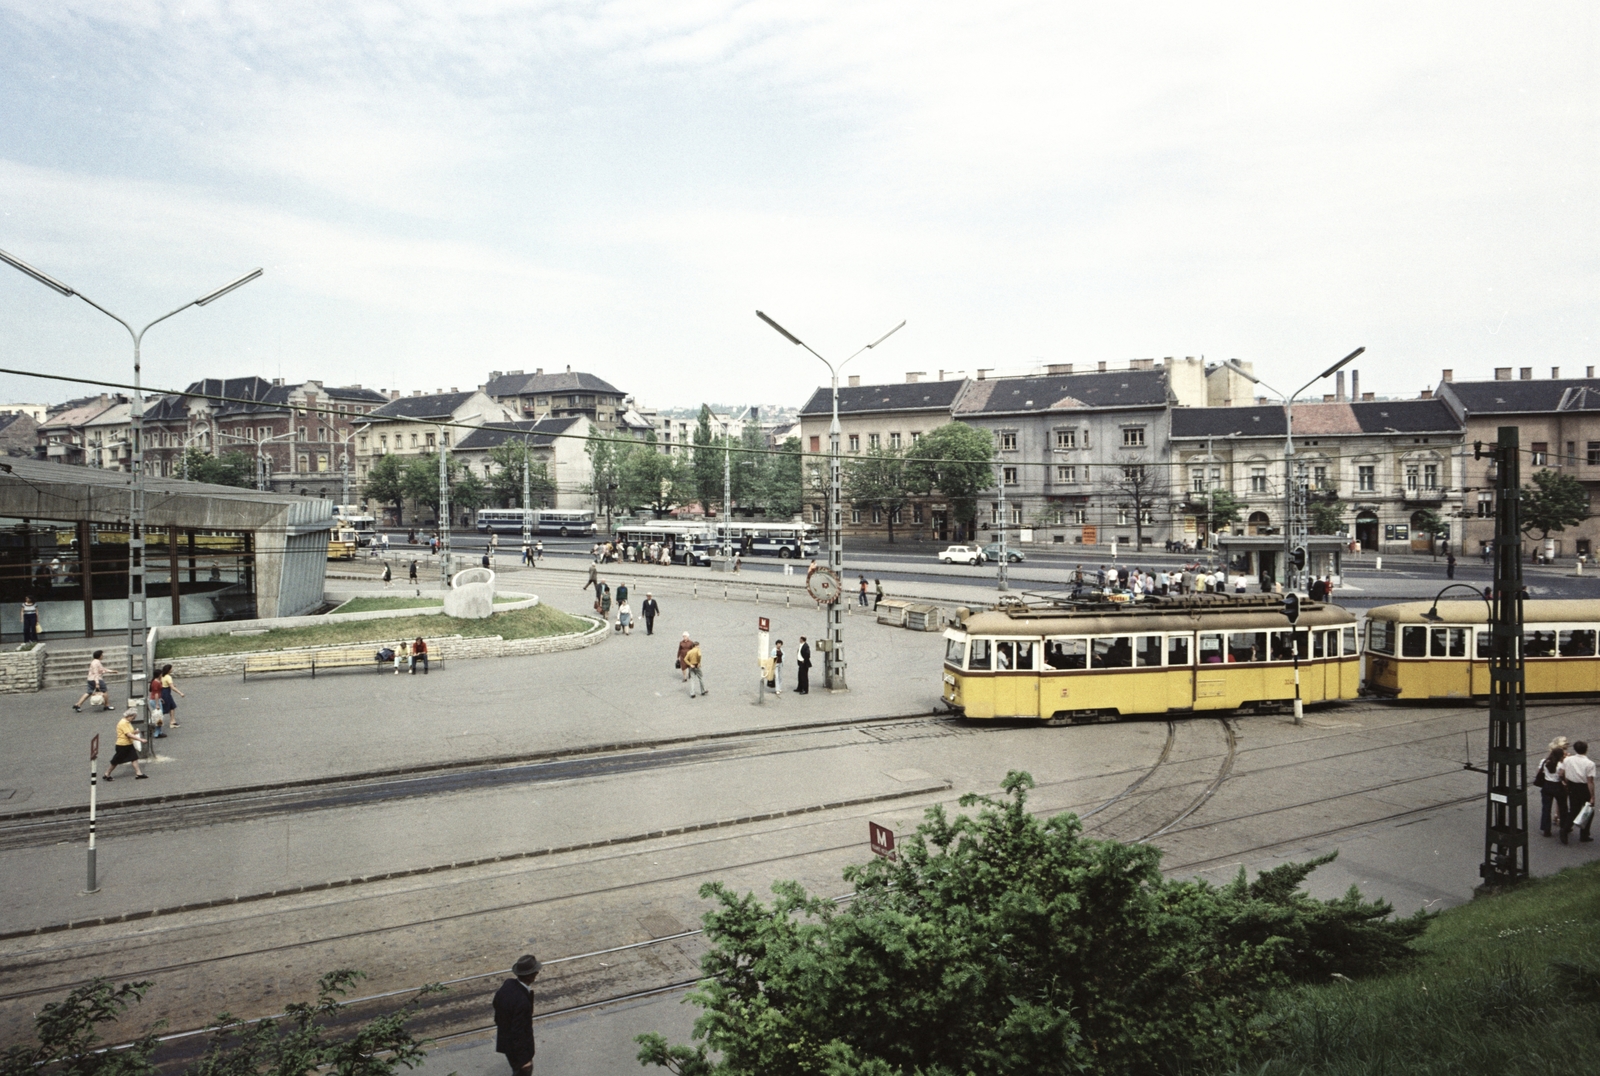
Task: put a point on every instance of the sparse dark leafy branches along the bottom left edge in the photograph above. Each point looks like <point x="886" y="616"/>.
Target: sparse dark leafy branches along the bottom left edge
<point x="308" y="1038"/>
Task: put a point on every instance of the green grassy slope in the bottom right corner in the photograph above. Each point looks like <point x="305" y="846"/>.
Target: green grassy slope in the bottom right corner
<point x="1489" y="997"/>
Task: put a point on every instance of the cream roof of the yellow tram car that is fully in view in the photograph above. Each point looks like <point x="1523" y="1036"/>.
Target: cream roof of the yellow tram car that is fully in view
<point x="1170" y="616"/>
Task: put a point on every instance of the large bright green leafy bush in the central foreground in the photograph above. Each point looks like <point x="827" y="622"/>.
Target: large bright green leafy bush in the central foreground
<point x="1009" y="944"/>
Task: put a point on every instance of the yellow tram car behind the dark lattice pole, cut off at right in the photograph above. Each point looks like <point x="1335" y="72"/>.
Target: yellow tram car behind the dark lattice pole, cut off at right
<point x="1409" y="656"/>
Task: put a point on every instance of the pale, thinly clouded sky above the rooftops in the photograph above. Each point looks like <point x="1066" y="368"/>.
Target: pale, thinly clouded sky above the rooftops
<point x="442" y="190"/>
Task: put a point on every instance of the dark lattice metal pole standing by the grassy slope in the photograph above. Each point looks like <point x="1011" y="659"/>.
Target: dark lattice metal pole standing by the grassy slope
<point x="1506" y="809"/>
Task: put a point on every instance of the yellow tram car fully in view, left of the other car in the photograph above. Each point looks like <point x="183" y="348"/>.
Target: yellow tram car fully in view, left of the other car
<point x="1079" y="664"/>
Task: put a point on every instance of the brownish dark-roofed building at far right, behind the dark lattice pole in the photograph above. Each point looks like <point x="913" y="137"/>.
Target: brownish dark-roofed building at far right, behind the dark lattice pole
<point x="1559" y="428"/>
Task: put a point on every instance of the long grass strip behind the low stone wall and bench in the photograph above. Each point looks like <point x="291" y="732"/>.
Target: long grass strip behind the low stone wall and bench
<point x="521" y="624"/>
